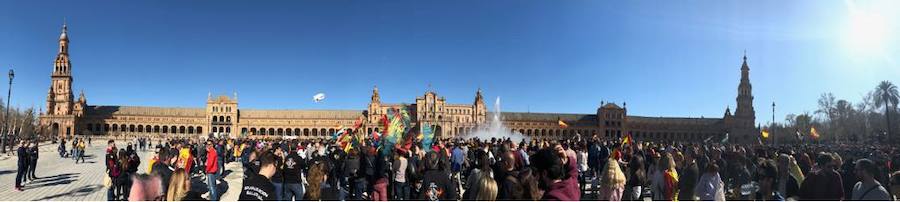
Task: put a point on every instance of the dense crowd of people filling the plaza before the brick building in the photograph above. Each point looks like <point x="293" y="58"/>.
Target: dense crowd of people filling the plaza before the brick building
<point x="501" y="169"/>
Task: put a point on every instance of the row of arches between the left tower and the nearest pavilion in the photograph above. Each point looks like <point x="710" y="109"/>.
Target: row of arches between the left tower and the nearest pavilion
<point x="97" y="128"/>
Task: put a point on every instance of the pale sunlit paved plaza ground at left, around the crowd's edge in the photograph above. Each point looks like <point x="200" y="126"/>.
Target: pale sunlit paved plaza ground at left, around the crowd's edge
<point x="60" y="179"/>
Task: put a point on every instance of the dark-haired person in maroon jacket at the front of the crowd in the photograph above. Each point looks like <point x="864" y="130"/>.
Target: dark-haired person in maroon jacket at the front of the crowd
<point x="557" y="174"/>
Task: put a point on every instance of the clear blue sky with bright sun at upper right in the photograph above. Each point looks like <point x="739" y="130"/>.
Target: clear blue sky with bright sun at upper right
<point x="664" y="58"/>
